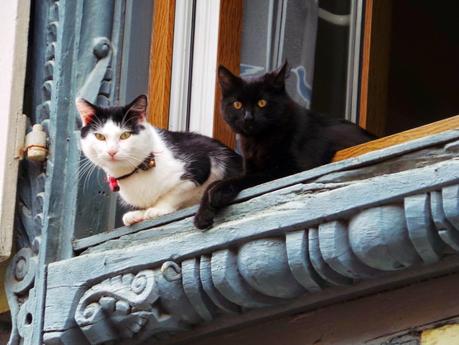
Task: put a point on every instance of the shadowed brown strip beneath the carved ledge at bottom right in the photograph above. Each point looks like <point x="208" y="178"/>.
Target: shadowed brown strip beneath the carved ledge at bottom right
<point x="395" y="317"/>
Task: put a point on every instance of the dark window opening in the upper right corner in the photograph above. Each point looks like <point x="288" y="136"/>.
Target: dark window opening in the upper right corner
<point x="423" y="63"/>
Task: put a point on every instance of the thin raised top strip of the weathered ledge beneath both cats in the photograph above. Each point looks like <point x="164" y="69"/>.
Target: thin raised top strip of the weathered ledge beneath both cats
<point x="389" y="161"/>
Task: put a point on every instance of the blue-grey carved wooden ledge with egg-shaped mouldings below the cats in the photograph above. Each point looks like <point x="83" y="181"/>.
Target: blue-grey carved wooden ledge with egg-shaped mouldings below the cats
<point x="348" y="230"/>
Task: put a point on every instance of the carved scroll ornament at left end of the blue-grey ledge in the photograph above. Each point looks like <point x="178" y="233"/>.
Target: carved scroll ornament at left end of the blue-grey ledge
<point x="123" y="307"/>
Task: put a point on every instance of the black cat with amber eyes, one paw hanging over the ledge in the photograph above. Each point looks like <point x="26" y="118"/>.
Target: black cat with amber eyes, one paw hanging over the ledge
<point x="278" y="139"/>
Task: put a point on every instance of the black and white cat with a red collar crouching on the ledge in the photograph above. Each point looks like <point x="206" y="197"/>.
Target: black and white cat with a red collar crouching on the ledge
<point x="156" y="171"/>
